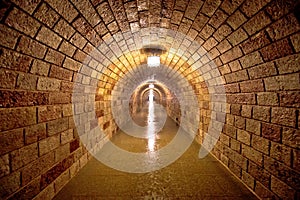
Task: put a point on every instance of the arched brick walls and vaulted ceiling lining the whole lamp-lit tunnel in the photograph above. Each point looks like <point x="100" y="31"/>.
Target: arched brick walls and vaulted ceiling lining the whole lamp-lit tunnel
<point x="73" y="73"/>
